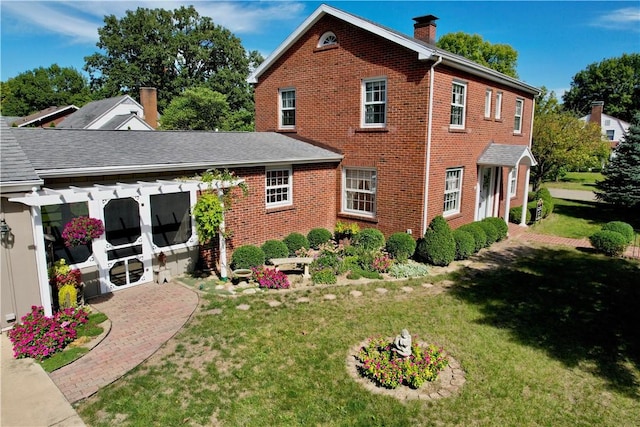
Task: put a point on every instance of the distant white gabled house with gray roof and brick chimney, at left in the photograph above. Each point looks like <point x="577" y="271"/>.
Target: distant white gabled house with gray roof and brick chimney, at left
<point x="118" y="113"/>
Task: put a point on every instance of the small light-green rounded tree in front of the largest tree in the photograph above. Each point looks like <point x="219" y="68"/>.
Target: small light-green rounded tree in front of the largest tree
<point x="197" y="108"/>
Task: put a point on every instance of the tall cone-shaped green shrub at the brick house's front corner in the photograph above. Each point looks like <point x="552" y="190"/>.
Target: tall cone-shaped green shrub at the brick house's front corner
<point x="438" y="246"/>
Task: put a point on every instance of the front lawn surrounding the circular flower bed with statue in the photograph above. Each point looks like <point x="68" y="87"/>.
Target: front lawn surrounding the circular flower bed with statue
<point x="540" y="345"/>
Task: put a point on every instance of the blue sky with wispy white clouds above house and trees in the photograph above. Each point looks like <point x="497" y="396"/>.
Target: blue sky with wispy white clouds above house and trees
<point x="555" y="40"/>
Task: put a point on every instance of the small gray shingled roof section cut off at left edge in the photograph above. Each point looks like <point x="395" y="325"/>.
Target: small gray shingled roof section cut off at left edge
<point x="15" y="168"/>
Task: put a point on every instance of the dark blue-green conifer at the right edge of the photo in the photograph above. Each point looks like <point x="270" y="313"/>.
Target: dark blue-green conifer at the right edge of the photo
<point x="621" y="184"/>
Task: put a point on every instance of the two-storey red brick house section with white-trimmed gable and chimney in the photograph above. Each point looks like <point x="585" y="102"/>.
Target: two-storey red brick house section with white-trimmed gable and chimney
<point x="423" y="132"/>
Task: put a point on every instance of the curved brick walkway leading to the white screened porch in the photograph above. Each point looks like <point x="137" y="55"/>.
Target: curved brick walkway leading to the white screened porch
<point x="142" y="318"/>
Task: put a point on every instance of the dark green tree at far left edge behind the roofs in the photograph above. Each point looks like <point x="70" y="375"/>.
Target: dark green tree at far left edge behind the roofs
<point x="41" y="88"/>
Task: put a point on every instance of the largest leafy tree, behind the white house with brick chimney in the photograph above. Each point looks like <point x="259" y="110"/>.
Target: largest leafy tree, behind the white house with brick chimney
<point x="171" y="51"/>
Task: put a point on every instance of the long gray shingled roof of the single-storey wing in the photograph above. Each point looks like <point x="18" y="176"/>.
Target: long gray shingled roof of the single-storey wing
<point x="66" y="152"/>
